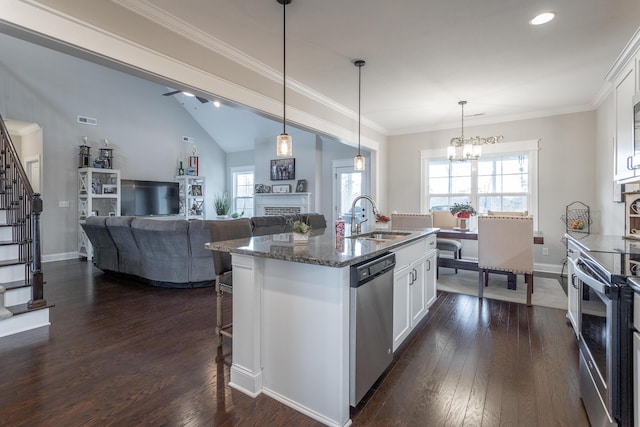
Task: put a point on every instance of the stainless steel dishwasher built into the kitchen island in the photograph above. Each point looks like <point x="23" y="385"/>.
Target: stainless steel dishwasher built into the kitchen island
<point x="371" y="323"/>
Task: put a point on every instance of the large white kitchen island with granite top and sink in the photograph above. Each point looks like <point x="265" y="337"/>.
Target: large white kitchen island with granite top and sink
<point x="291" y="313"/>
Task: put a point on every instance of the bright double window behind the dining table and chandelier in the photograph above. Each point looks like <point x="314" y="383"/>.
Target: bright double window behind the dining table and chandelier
<point x="503" y="179"/>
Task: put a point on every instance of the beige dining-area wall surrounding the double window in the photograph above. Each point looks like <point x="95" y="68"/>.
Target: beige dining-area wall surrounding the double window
<point x="567" y="169"/>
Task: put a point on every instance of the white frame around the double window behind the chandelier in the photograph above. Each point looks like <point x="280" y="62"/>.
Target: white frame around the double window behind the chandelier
<point x="528" y="147"/>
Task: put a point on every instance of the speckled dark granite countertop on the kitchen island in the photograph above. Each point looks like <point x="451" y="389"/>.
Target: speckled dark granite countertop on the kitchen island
<point x="323" y="248"/>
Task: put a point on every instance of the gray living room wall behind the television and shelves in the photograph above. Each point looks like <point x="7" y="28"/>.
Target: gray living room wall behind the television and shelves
<point x="145" y="128"/>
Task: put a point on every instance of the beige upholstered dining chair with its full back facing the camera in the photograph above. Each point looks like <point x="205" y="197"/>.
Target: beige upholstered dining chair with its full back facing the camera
<point x="505" y="243"/>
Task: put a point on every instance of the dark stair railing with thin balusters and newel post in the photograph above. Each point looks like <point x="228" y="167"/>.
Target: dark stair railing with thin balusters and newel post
<point x="23" y="207"/>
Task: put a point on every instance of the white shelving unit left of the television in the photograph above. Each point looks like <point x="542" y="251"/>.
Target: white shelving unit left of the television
<point x="98" y="194"/>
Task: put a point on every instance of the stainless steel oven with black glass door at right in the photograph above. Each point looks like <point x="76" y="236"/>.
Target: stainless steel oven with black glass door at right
<point x="599" y="341"/>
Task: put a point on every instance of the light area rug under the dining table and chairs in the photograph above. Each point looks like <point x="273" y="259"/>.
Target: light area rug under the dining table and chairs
<point x="547" y="292"/>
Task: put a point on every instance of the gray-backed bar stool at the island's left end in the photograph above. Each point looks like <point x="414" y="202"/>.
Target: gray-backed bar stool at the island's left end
<point x="220" y="231"/>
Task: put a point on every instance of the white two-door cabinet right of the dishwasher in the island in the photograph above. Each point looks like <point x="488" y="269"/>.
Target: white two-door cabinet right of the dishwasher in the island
<point x="414" y="284"/>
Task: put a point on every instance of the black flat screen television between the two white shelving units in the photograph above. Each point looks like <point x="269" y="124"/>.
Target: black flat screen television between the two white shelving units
<point x="143" y="198"/>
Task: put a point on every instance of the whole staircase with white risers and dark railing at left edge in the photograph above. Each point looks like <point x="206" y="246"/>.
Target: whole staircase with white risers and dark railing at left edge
<point x="22" y="303"/>
